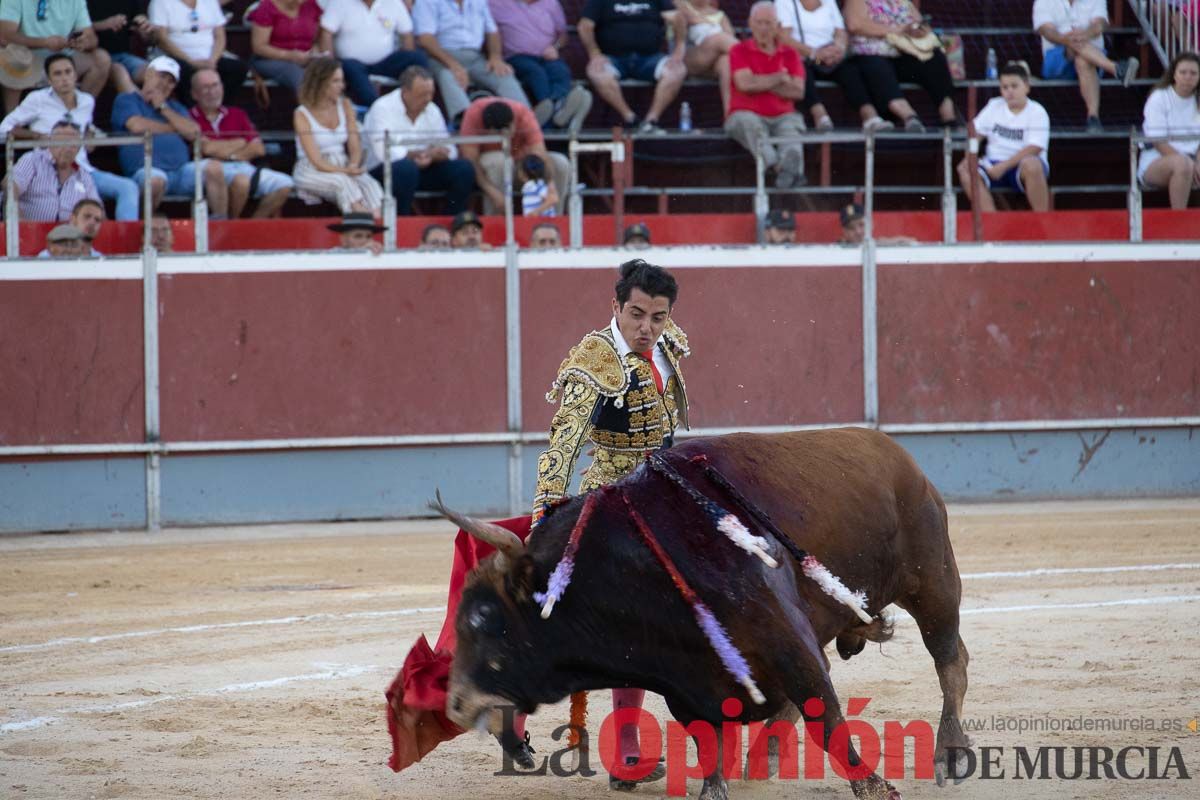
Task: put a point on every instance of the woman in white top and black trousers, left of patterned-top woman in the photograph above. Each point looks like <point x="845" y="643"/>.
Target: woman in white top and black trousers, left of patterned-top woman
<point x="817" y="31"/>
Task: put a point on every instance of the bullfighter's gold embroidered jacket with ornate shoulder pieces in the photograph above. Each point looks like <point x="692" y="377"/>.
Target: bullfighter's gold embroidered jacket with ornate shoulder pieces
<point x="615" y="404"/>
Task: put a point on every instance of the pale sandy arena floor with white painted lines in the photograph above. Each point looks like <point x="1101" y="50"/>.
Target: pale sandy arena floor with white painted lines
<point x="251" y="663"/>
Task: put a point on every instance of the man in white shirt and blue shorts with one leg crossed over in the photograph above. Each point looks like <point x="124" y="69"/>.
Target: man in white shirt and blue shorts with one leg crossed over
<point x="1073" y="47"/>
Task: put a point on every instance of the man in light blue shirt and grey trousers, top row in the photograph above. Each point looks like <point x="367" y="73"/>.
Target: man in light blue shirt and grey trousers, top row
<point x="453" y="33"/>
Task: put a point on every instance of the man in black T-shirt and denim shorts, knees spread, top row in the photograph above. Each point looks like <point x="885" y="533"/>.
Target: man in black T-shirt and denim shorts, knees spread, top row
<point x="625" y="40"/>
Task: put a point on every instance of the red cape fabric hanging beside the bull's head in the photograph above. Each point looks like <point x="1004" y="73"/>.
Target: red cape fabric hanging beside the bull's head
<point x="417" y="699"/>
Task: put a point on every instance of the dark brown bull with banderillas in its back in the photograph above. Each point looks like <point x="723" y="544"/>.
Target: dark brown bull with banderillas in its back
<point x="850" y="497"/>
